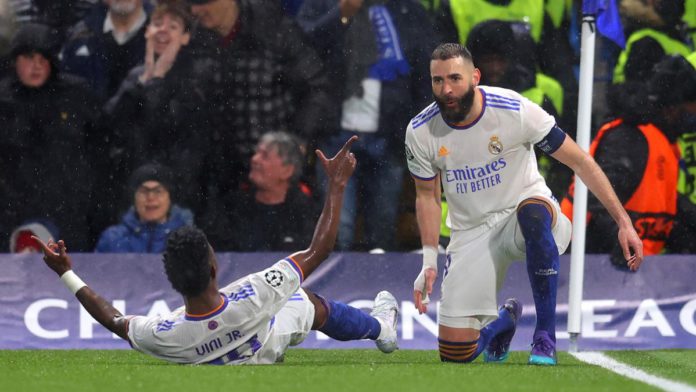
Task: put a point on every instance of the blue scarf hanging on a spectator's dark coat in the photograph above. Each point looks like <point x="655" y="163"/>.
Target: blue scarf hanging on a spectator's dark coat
<point x="390" y="59"/>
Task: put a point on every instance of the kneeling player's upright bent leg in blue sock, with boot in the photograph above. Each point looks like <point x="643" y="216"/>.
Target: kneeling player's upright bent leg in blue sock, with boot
<point x="536" y="217"/>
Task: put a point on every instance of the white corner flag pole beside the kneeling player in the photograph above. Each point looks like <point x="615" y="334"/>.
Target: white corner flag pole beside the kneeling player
<point x="577" y="252"/>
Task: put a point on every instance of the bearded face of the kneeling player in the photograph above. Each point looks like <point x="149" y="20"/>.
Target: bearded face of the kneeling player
<point x="454" y="81"/>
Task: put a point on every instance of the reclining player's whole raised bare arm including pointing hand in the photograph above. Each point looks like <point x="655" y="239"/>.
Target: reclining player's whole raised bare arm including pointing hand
<point x="338" y="170"/>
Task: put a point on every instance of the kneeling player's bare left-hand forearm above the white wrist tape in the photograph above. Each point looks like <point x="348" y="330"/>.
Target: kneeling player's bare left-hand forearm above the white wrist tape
<point x="428" y="211"/>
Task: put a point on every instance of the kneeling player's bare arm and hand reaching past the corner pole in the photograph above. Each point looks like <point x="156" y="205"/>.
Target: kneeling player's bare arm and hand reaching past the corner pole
<point x="592" y="175"/>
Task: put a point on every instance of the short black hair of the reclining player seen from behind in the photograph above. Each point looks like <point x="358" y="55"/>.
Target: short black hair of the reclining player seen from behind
<point x="187" y="261"/>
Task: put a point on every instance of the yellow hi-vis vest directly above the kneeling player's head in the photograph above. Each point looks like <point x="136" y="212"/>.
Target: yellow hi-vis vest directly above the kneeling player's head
<point x="469" y="13"/>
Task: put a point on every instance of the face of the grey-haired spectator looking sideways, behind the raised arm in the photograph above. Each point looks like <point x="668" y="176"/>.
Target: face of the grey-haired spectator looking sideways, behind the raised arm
<point x="267" y="168"/>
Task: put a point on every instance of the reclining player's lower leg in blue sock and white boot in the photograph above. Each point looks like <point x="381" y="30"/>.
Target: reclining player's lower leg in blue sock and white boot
<point x="343" y="322"/>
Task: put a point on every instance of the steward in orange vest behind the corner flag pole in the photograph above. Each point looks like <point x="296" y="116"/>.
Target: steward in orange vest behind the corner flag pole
<point x="647" y="186"/>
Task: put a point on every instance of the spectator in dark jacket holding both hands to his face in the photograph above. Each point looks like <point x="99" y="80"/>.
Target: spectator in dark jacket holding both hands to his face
<point x="160" y="111"/>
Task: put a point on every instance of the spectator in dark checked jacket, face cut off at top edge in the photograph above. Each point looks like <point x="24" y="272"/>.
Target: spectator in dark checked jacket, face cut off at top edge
<point x="269" y="79"/>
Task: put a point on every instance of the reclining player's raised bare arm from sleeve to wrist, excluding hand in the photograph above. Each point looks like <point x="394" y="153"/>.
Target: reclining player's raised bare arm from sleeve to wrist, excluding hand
<point x="325" y="232"/>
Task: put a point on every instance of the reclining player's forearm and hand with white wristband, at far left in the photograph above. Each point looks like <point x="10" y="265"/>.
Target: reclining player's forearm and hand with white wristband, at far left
<point x="56" y="257"/>
